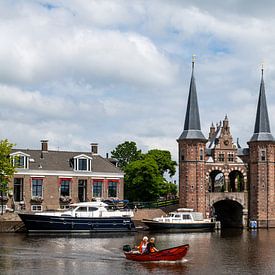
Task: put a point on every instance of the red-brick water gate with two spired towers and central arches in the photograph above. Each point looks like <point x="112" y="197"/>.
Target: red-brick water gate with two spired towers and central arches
<point x="218" y="176"/>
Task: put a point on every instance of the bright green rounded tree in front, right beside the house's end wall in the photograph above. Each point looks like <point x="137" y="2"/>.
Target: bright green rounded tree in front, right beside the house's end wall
<point x="142" y="180"/>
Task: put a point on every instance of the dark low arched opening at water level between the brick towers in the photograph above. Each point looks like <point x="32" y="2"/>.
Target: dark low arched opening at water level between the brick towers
<point x="229" y="213"/>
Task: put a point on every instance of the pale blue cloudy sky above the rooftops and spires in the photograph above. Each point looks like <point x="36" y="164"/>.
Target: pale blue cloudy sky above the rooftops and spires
<point x="81" y="71"/>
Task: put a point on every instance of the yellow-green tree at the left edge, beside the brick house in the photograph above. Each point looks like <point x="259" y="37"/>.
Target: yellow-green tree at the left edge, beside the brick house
<point x="7" y="169"/>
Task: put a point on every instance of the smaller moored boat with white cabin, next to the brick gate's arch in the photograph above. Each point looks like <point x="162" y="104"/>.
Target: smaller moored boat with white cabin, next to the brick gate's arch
<point x="184" y="219"/>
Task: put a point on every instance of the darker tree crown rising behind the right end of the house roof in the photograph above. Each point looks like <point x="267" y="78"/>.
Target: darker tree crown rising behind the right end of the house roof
<point x="125" y="153"/>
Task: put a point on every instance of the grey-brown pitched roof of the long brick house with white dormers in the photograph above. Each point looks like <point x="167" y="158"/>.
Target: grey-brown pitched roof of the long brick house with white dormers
<point x="63" y="160"/>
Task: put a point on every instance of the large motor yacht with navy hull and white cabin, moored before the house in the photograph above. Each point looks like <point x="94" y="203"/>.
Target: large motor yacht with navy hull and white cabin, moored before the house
<point x="84" y="217"/>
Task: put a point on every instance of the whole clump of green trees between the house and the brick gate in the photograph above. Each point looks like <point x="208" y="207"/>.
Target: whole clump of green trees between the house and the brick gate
<point x="145" y="173"/>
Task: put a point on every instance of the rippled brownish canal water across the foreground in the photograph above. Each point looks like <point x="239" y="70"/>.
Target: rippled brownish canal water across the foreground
<point x="224" y="252"/>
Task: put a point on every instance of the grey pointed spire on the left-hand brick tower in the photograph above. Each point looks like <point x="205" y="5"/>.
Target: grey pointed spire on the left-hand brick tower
<point x="192" y="126"/>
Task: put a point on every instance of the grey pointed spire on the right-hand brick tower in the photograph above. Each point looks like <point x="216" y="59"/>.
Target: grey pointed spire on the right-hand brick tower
<point x="262" y="128"/>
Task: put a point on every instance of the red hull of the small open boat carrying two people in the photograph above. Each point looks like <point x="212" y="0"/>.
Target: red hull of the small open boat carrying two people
<point x="170" y="254"/>
